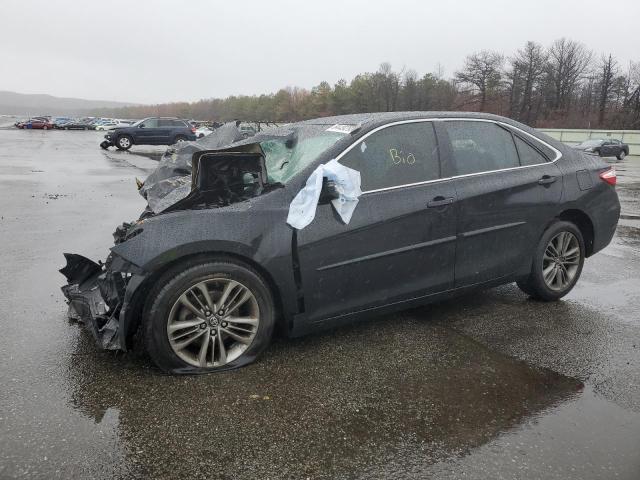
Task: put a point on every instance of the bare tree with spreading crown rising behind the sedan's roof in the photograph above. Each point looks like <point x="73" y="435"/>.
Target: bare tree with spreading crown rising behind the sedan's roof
<point x="483" y="71"/>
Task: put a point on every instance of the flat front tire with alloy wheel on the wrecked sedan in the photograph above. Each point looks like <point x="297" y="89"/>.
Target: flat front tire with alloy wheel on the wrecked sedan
<point x="208" y="316"/>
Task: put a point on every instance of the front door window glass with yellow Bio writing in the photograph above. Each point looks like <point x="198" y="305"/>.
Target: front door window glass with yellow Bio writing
<point x="395" y="156"/>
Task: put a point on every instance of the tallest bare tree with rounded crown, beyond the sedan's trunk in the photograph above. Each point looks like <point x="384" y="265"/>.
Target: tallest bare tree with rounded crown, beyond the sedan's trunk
<point x="568" y="60"/>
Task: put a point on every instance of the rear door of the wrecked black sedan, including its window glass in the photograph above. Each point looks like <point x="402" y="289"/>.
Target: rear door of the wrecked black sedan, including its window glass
<point x="507" y="192"/>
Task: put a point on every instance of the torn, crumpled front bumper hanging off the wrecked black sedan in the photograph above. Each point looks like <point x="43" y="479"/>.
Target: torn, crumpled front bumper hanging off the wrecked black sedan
<point x="99" y="296"/>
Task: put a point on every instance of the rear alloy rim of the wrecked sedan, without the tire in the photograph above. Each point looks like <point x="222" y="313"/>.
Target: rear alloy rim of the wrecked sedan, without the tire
<point x="561" y="261"/>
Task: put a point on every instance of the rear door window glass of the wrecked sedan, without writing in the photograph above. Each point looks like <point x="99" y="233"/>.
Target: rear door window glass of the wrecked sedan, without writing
<point x="480" y="147"/>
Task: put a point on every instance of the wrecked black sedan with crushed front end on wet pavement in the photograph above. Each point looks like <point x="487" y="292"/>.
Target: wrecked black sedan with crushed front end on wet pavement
<point x="447" y="203"/>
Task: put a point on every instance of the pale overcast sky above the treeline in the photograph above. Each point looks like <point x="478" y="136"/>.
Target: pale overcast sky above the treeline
<point x="157" y="51"/>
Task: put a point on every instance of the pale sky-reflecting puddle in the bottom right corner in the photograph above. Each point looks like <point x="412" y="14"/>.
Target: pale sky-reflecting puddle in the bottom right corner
<point x="581" y="438"/>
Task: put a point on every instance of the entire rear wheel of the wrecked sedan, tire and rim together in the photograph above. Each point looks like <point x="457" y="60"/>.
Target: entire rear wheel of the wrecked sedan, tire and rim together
<point x="557" y="263"/>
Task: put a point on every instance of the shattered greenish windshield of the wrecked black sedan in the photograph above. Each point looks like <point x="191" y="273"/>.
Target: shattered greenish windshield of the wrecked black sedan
<point x="286" y="157"/>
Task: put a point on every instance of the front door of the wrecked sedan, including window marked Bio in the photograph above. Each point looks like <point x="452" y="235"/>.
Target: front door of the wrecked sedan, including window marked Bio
<point x="400" y="242"/>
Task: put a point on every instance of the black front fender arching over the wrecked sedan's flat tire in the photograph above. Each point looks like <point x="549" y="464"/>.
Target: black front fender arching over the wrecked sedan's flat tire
<point x="259" y="235"/>
